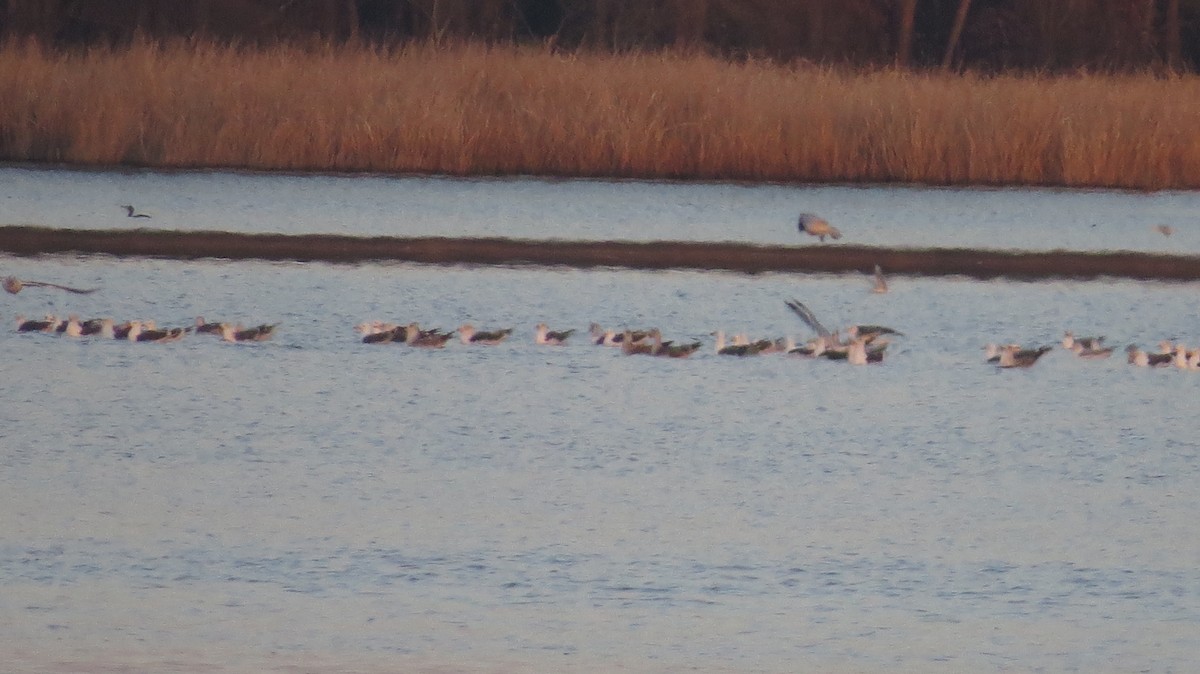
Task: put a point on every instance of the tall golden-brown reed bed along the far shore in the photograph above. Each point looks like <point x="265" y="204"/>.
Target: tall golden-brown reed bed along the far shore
<point x="472" y="110"/>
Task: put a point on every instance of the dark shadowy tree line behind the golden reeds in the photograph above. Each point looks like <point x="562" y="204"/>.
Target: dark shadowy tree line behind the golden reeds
<point x="1109" y="35"/>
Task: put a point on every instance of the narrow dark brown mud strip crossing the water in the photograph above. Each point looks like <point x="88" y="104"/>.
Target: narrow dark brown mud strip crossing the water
<point x="658" y="255"/>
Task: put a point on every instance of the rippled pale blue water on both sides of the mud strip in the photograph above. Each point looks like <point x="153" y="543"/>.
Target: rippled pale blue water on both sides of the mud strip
<point x="315" y="504"/>
